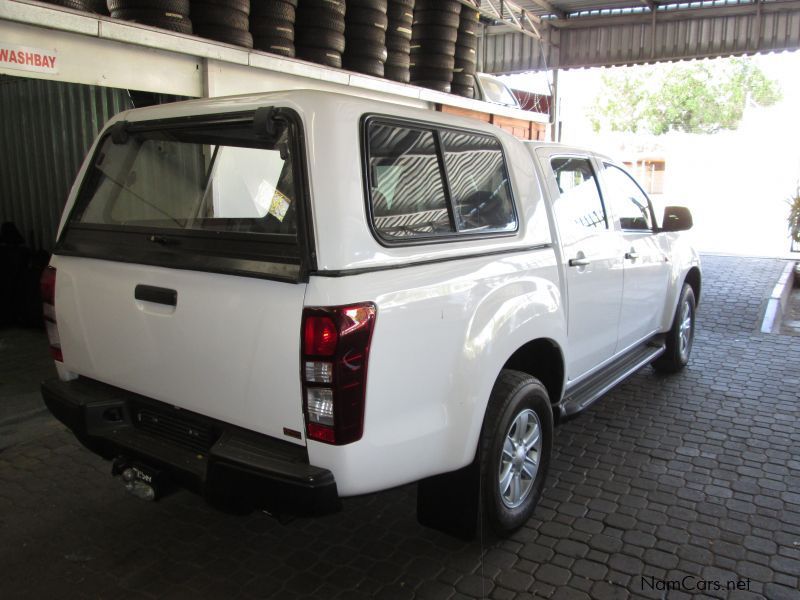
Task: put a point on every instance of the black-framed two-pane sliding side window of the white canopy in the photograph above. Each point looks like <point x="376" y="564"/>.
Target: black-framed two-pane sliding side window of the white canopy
<point x="426" y="182"/>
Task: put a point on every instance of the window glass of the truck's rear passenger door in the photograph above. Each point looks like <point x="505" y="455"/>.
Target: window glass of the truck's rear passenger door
<point x="579" y="205"/>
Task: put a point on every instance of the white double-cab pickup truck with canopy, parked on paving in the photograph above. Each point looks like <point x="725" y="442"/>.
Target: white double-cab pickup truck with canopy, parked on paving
<point x="282" y="299"/>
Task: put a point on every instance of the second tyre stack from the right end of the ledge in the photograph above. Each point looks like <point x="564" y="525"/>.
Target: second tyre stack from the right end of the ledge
<point x="433" y="43"/>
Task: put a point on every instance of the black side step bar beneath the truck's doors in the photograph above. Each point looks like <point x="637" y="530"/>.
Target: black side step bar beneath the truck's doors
<point x="586" y="392"/>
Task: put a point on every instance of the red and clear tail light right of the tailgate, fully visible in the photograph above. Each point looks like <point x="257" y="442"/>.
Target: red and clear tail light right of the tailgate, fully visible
<point x="336" y="343"/>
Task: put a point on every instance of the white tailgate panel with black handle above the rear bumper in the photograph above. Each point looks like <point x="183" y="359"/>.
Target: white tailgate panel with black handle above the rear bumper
<point x="229" y="348"/>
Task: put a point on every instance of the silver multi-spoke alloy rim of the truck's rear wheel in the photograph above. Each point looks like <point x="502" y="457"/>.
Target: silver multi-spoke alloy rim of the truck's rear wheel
<point x="519" y="458"/>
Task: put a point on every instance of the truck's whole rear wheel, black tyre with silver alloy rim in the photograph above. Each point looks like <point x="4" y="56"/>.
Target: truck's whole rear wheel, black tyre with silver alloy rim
<point x="515" y="447"/>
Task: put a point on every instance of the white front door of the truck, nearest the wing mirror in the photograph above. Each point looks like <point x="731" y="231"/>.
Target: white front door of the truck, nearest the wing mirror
<point x="647" y="270"/>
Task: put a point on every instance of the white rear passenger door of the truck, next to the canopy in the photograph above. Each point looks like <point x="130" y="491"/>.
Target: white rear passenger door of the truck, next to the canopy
<point x="592" y="258"/>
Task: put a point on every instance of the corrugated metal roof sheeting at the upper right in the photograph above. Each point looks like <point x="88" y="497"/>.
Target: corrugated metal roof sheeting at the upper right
<point x="588" y="33"/>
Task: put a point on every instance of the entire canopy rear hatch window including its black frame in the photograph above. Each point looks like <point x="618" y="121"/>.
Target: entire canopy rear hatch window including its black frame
<point x="224" y="193"/>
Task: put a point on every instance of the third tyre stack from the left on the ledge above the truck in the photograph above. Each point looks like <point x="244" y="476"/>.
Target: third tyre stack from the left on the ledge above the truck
<point x="223" y="20"/>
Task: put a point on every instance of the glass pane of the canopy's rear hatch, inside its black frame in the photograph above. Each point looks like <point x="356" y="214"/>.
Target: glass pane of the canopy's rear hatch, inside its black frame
<point x="211" y="177"/>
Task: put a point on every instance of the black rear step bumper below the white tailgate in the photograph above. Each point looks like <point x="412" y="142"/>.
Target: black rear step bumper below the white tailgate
<point x="217" y="460"/>
